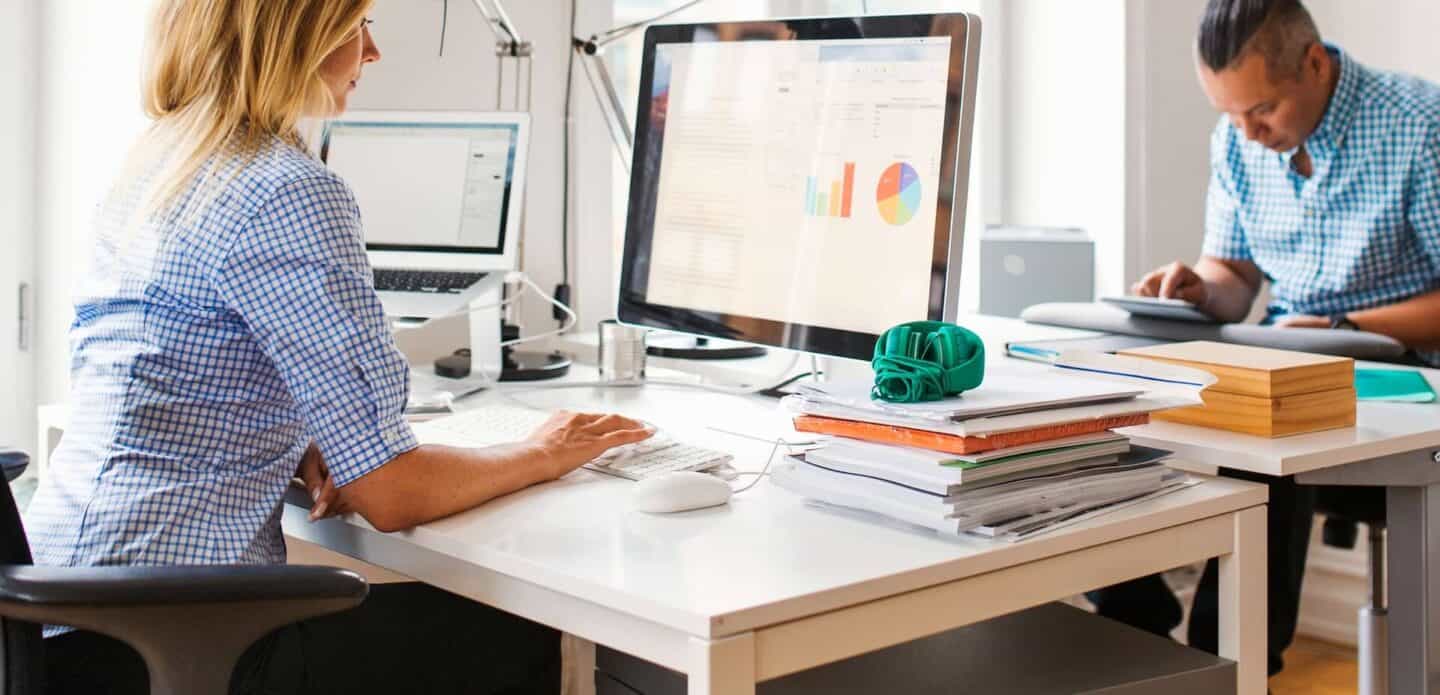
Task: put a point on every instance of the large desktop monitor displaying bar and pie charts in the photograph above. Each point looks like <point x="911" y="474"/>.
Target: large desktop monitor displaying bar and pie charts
<point x="801" y="183"/>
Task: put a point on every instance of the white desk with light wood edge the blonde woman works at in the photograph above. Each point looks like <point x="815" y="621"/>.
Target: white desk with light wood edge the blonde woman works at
<point x="768" y="586"/>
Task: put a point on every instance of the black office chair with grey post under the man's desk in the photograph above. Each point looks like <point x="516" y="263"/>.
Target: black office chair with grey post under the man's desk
<point x="1344" y="510"/>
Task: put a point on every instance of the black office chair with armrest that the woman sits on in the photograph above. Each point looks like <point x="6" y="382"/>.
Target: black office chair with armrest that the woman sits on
<point x="189" y="624"/>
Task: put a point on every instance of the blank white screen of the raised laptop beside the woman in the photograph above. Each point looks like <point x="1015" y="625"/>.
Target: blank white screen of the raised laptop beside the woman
<point x="428" y="186"/>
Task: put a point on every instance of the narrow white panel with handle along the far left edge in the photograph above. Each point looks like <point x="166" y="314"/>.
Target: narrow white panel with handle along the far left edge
<point x="19" y="21"/>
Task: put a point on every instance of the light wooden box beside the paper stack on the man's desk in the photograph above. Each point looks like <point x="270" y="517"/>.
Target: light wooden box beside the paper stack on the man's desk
<point x="1264" y="392"/>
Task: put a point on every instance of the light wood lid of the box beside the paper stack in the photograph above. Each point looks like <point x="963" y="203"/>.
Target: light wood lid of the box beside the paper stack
<point x="1256" y="372"/>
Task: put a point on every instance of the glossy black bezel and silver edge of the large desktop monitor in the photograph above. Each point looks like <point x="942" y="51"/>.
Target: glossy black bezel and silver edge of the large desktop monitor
<point x="633" y="306"/>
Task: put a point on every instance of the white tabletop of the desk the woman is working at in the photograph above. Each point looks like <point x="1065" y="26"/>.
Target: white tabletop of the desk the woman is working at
<point x="764" y="559"/>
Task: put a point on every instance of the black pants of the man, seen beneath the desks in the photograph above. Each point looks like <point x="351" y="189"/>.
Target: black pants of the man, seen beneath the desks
<point x="1150" y="605"/>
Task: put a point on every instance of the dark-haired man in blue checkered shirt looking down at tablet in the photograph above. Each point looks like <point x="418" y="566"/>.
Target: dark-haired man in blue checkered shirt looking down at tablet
<point x="1326" y="181"/>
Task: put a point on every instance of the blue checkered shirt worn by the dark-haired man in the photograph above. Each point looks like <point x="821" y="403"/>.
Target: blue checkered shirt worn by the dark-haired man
<point x="1364" y="231"/>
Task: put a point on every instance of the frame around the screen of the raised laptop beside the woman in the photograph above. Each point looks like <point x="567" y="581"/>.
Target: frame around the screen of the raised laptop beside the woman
<point x="505" y="257"/>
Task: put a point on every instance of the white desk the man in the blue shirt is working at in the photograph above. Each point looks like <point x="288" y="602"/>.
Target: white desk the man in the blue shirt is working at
<point x="1393" y="445"/>
